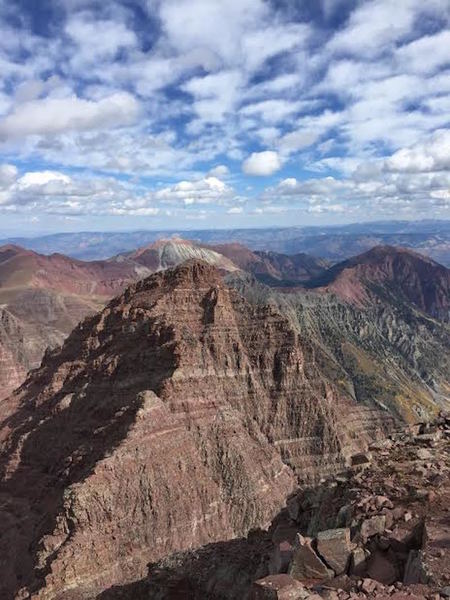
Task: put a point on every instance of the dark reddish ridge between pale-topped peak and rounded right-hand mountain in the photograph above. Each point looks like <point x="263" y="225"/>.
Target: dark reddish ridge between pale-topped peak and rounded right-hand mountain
<point x="273" y="268"/>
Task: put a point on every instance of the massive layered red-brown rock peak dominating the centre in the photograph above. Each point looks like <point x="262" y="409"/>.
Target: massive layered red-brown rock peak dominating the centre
<point x="175" y="417"/>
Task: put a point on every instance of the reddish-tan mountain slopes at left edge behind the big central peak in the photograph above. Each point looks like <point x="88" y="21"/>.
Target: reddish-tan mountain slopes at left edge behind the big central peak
<point x="42" y="298"/>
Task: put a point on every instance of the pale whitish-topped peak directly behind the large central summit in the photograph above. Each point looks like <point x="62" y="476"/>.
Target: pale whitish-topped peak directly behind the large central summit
<point x="167" y="253"/>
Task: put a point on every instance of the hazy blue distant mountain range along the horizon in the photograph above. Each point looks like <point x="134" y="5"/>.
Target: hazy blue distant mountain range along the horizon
<point x="334" y="243"/>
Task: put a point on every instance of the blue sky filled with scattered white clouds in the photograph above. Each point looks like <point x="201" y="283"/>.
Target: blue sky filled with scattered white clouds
<point x="150" y="114"/>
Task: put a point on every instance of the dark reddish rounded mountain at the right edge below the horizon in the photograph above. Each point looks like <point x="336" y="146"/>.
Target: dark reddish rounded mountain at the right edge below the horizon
<point x="395" y="272"/>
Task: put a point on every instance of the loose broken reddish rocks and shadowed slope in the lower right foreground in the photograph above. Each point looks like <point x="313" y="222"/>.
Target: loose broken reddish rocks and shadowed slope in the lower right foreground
<point x="379" y="530"/>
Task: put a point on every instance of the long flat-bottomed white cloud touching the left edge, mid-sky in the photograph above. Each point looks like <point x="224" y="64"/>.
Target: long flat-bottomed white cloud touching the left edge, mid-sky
<point x="56" y="115"/>
